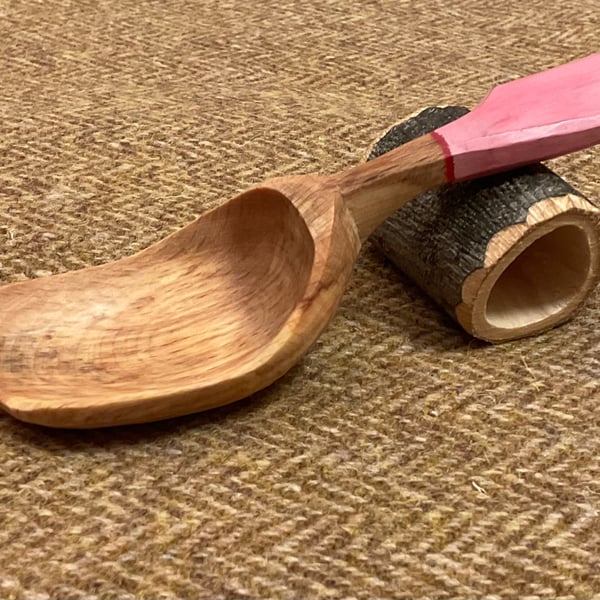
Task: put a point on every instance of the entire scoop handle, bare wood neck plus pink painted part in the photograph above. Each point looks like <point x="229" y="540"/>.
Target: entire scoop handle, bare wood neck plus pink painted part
<point x="524" y="121"/>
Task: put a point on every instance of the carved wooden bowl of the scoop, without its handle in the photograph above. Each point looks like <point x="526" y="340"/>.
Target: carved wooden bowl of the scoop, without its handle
<point x="209" y="315"/>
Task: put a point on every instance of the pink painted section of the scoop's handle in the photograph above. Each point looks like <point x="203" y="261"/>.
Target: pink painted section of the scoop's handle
<point x="527" y="120"/>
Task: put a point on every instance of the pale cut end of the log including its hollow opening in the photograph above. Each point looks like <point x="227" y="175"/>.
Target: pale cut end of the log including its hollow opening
<point x="537" y="274"/>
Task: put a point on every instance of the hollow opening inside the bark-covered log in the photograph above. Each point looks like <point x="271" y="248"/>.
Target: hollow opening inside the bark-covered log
<point x="542" y="280"/>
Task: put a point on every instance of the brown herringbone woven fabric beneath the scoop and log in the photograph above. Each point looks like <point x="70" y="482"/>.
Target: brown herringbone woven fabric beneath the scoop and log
<point x="400" y="459"/>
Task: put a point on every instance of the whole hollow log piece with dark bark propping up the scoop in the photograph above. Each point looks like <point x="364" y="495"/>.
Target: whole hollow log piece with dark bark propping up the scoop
<point x="507" y="255"/>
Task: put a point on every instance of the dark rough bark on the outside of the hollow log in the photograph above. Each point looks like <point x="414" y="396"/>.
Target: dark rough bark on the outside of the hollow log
<point x="443" y="236"/>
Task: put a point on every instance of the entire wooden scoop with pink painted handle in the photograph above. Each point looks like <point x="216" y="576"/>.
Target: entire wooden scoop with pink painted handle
<point x="226" y="305"/>
